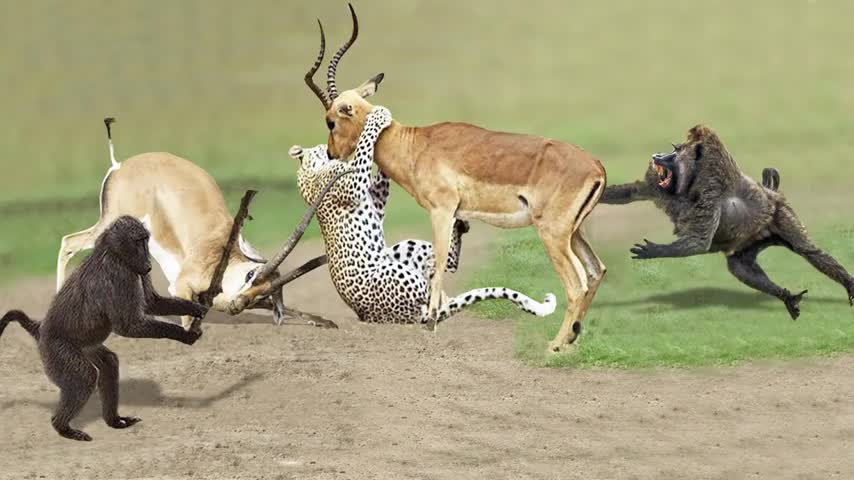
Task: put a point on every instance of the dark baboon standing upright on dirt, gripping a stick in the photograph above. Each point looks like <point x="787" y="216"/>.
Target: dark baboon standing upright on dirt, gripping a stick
<point x="110" y="292"/>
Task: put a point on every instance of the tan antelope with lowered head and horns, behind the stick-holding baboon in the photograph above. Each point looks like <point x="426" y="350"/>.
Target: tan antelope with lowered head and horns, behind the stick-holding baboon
<point x="190" y="225"/>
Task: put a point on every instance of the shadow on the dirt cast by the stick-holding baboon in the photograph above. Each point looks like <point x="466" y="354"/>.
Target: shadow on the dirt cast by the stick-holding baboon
<point x="137" y="392"/>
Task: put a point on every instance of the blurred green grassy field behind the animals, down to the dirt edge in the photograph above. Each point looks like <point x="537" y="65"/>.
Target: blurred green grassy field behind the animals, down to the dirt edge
<point x="220" y="83"/>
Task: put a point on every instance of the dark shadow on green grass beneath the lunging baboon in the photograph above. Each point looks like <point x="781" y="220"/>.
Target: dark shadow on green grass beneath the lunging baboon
<point x="703" y="297"/>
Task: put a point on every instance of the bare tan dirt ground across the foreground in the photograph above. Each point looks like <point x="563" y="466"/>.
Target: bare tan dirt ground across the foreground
<point x="255" y="401"/>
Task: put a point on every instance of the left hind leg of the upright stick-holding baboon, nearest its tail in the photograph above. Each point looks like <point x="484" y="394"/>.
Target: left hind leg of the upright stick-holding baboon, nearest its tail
<point x="75" y="375"/>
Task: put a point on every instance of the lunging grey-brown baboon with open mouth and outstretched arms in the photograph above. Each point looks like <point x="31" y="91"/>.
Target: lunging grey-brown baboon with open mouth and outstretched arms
<point x="716" y="208"/>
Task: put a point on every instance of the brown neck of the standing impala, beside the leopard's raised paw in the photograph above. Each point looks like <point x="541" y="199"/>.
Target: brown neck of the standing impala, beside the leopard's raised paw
<point x="395" y="153"/>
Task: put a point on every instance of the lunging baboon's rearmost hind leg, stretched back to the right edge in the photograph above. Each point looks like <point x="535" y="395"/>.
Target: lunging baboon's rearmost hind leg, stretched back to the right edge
<point x="792" y="231"/>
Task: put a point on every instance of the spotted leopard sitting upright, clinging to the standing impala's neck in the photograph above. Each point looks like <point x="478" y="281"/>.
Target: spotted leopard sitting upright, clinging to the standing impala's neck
<point x="382" y="284"/>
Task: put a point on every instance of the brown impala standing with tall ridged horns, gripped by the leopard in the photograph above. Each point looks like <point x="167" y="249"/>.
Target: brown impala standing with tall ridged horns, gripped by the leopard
<point x="457" y="170"/>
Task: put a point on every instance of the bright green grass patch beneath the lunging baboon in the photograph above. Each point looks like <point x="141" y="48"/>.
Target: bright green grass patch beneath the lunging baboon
<point x="678" y="312"/>
